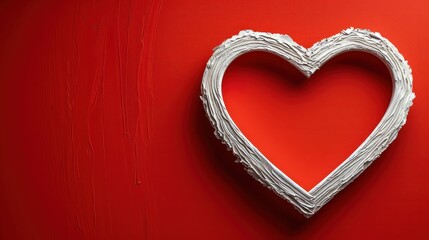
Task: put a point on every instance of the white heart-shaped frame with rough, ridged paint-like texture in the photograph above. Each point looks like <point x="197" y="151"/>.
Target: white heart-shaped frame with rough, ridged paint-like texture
<point x="307" y="61"/>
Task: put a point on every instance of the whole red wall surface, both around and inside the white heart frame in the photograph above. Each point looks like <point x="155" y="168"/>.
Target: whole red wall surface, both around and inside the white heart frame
<point x="104" y="137"/>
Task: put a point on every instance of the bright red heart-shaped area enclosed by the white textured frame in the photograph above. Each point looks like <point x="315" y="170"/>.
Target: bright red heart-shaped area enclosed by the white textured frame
<point x="307" y="127"/>
